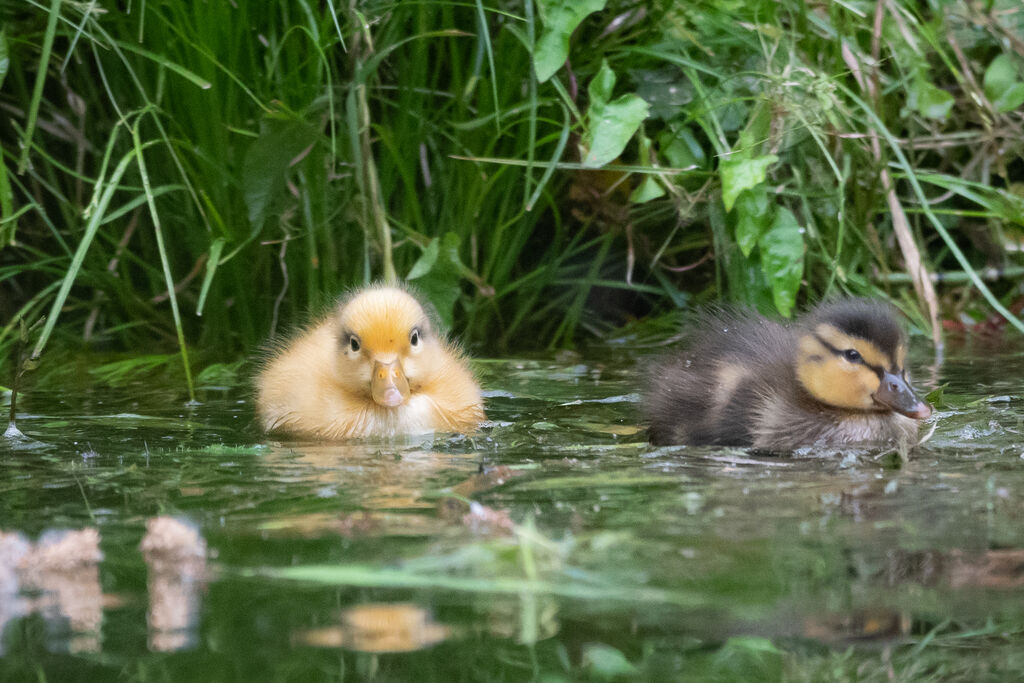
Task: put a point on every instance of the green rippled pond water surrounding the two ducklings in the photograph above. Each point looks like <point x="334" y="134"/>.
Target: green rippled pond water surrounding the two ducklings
<point x="554" y="545"/>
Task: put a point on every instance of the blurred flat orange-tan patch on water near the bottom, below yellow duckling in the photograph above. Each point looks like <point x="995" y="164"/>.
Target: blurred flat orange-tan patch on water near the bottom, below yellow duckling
<point x="379" y="628"/>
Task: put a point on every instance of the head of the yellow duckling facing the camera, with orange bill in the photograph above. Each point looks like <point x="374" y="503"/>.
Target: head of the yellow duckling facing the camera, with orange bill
<point x="387" y="346"/>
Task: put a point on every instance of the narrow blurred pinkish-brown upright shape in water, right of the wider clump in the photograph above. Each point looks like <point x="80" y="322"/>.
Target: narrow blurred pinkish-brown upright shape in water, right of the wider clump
<point x="176" y="556"/>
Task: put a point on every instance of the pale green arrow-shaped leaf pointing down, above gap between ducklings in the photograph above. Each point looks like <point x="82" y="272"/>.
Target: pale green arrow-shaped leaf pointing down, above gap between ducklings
<point x="611" y="124"/>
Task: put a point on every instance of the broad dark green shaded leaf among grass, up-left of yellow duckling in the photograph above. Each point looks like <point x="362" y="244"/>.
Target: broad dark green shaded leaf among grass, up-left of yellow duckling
<point x="266" y="166"/>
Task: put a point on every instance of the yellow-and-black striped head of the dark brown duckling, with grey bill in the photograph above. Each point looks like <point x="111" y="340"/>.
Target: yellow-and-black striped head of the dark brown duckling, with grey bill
<point x="851" y="356"/>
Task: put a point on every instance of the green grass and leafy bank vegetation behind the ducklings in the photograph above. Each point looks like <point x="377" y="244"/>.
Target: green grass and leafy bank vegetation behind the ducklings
<point x="206" y="175"/>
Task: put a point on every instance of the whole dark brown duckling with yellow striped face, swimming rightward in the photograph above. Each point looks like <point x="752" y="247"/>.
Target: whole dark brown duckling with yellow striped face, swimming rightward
<point x="835" y="377"/>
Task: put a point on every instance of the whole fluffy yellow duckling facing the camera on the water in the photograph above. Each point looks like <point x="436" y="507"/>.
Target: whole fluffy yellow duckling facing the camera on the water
<point x="375" y="367"/>
